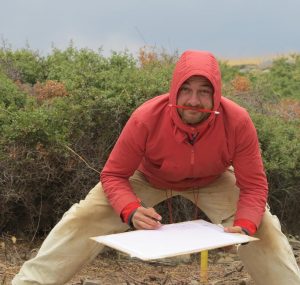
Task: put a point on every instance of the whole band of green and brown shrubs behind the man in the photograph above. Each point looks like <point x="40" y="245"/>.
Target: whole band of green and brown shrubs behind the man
<point x="61" y="114"/>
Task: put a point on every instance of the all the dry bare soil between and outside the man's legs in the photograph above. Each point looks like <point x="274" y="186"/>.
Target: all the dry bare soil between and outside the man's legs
<point x="112" y="267"/>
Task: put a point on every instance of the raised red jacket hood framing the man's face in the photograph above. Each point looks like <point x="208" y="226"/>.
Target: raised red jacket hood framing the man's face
<point x="191" y="63"/>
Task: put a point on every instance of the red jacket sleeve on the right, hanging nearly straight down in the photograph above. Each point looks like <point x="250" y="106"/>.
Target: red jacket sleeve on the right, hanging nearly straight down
<point x="250" y="175"/>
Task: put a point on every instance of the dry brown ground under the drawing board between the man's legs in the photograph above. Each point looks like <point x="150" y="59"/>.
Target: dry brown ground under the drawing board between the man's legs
<point x="121" y="270"/>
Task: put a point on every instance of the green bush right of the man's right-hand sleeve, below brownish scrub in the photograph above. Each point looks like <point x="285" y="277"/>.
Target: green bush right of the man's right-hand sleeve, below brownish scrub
<point x="280" y="145"/>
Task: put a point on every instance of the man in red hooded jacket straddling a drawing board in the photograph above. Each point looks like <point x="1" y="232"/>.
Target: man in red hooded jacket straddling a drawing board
<point x="181" y="143"/>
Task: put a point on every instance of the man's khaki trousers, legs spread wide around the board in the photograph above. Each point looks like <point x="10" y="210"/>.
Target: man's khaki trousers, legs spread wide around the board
<point x="68" y="247"/>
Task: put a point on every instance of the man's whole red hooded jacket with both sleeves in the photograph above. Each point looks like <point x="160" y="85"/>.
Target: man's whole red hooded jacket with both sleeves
<point x="155" y="141"/>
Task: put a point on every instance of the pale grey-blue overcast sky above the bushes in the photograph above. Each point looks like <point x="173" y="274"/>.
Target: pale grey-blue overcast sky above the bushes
<point x="228" y="28"/>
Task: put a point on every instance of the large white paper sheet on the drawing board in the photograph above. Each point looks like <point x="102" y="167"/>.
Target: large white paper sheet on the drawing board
<point x="173" y="239"/>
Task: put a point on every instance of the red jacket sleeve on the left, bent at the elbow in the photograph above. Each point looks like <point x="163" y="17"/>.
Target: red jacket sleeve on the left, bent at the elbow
<point x="122" y="163"/>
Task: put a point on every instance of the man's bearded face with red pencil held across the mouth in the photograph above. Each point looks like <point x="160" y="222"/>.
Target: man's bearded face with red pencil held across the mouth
<point x="196" y="91"/>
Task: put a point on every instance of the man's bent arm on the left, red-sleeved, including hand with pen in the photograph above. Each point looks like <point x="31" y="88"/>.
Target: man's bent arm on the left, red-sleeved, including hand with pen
<point x="121" y="164"/>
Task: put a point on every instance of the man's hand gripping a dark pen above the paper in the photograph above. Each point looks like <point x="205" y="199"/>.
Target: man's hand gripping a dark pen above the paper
<point x="146" y="219"/>
